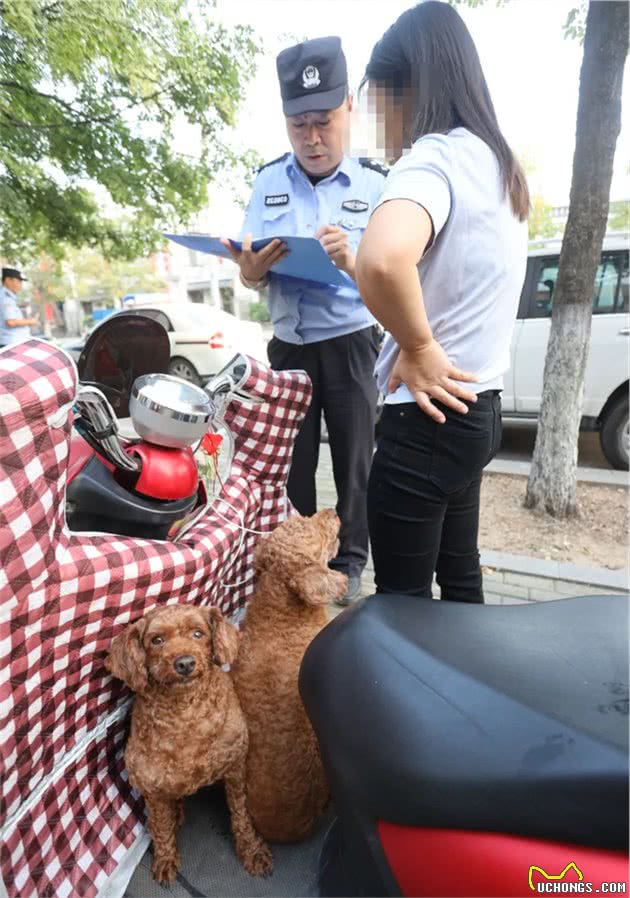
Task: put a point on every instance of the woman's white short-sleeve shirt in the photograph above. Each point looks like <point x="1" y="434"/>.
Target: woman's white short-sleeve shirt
<point x="473" y="272"/>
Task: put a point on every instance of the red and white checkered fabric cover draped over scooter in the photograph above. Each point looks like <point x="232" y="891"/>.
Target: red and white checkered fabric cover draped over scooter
<point x="67" y="814"/>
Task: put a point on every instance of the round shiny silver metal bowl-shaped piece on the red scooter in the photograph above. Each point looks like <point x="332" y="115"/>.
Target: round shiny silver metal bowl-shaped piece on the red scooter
<point x="169" y="411"/>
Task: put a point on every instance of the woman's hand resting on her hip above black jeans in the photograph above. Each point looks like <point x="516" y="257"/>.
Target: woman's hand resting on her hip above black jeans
<point x="428" y="374"/>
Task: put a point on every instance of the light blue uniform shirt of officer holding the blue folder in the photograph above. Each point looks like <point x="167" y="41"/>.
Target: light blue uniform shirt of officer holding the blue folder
<point x="285" y="203"/>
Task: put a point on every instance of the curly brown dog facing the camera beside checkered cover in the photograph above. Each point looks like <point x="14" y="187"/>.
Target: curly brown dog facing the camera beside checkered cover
<point x="187" y="727"/>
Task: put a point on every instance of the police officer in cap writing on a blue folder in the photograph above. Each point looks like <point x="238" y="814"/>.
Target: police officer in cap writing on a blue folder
<point x="318" y="191"/>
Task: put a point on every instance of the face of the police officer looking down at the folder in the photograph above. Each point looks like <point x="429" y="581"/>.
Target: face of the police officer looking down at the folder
<point x="319" y="139"/>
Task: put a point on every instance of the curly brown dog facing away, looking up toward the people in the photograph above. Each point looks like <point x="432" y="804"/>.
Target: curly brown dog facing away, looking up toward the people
<point x="286" y="786"/>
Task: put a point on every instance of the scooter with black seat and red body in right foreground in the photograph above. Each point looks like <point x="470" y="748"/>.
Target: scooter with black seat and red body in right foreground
<point x="473" y="750"/>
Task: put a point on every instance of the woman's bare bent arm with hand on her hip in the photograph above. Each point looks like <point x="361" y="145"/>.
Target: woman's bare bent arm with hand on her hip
<point x="386" y="272"/>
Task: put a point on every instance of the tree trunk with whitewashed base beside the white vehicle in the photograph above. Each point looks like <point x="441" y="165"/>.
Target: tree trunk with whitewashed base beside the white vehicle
<point x="552" y="481"/>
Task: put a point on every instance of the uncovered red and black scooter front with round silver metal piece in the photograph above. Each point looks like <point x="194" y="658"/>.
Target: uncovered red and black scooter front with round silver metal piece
<point x="132" y="468"/>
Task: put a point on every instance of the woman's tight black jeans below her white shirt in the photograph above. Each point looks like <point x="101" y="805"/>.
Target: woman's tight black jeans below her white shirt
<point x="423" y="498"/>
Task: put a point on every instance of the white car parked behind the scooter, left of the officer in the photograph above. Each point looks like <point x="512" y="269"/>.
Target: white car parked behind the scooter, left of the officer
<point x="203" y="338"/>
